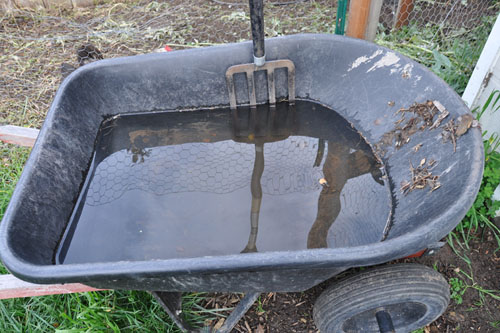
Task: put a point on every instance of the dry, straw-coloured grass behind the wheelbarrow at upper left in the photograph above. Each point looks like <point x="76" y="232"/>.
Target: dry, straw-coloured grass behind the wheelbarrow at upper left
<point x="34" y="44"/>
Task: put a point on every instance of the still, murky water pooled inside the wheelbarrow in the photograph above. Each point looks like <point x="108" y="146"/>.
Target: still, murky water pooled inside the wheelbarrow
<point x="213" y="182"/>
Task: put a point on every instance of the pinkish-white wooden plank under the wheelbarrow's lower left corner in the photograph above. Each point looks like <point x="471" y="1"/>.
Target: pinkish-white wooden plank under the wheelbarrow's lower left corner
<point x="12" y="287"/>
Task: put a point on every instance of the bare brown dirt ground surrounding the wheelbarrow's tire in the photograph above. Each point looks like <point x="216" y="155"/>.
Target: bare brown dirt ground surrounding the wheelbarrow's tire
<point x="478" y="312"/>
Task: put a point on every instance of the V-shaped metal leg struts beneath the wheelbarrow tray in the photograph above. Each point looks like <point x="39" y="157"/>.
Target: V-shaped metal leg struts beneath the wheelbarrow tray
<point x="172" y="301"/>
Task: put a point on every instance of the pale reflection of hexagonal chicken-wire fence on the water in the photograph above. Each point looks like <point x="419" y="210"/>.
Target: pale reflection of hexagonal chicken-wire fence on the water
<point x="219" y="167"/>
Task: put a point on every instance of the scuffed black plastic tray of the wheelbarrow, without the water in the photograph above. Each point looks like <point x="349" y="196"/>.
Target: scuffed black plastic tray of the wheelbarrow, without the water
<point x="360" y="80"/>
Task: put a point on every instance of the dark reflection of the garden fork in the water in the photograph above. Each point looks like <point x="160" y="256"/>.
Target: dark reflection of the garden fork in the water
<point x="258" y="126"/>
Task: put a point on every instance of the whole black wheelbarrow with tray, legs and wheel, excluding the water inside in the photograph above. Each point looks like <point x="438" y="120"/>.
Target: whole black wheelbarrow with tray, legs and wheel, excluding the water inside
<point x="364" y="83"/>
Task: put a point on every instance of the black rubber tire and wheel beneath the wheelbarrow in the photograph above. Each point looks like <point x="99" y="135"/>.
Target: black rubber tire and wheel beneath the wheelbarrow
<point x="414" y="295"/>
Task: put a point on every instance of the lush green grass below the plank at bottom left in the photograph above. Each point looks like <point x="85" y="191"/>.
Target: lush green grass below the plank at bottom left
<point x="104" y="311"/>
